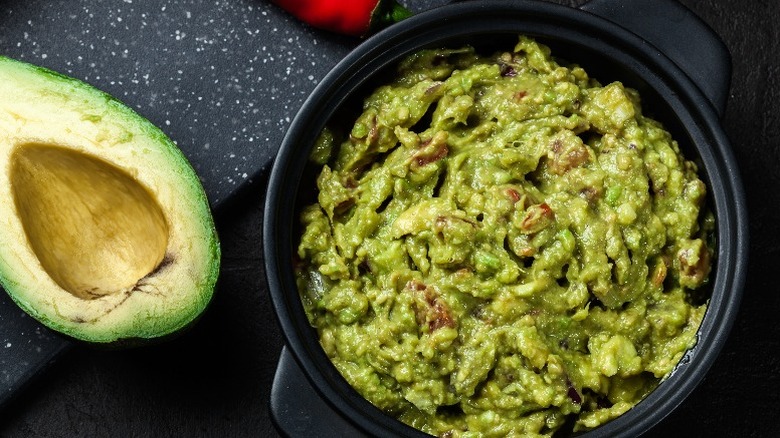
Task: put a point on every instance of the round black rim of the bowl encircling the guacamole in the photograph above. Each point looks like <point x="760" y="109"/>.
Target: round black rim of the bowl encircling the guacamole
<point x="469" y="19"/>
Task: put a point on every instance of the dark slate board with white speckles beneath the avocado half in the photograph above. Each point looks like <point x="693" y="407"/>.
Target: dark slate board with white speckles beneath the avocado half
<point x="223" y="78"/>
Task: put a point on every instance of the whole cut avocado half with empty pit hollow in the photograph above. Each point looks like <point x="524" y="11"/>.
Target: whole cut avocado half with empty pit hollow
<point x="106" y="233"/>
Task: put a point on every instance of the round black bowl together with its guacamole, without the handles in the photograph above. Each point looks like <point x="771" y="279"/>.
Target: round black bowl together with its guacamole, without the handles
<point x="509" y="227"/>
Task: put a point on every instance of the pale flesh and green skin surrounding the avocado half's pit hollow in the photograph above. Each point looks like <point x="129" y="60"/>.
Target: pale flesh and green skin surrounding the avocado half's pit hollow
<point x="31" y="89"/>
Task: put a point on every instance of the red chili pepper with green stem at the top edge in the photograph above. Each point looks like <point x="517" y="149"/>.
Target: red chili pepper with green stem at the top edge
<point x="356" y="18"/>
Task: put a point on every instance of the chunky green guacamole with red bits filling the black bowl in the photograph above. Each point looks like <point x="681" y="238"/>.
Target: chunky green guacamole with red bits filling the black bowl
<point x="501" y="245"/>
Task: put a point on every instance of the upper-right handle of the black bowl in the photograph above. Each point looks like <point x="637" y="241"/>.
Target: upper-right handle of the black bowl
<point x="680" y="35"/>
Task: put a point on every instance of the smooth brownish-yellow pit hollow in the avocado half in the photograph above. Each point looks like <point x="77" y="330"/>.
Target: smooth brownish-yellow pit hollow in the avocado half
<point x="95" y="230"/>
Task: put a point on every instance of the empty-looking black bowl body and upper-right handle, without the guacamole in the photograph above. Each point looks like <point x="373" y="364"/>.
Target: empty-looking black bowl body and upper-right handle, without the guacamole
<point x="681" y="70"/>
